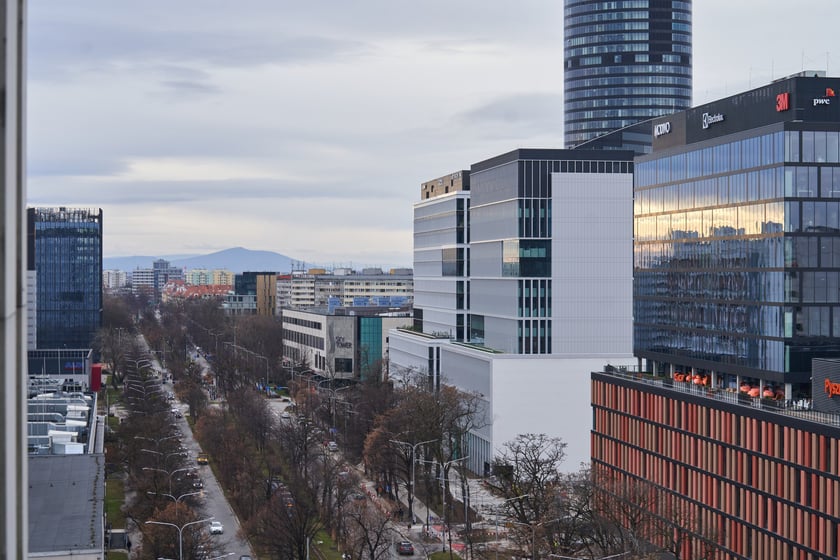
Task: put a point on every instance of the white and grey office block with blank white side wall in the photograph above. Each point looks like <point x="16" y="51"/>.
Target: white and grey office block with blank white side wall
<point x="523" y="282"/>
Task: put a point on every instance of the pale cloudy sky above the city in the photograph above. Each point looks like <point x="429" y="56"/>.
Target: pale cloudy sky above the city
<point x="306" y="128"/>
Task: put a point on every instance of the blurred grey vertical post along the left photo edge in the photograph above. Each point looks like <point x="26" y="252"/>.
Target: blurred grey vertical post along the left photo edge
<point x="13" y="272"/>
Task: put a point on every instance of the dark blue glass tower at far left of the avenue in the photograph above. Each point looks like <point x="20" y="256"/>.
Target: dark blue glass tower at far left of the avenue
<point x="65" y="248"/>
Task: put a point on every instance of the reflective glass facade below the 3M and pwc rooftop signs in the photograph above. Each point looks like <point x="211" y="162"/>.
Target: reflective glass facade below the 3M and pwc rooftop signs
<point x="737" y="253"/>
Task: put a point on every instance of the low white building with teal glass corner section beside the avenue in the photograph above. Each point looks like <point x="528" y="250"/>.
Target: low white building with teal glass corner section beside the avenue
<point x="347" y="343"/>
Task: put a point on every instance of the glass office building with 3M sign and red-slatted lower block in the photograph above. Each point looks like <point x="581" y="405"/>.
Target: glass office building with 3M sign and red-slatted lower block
<point x="736" y="299"/>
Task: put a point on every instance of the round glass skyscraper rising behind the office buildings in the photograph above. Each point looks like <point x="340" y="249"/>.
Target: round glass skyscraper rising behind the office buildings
<point x="625" y="61"/>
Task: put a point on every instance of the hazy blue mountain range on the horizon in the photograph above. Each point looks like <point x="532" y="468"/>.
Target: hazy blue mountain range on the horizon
<point x="237" y="260"/>
